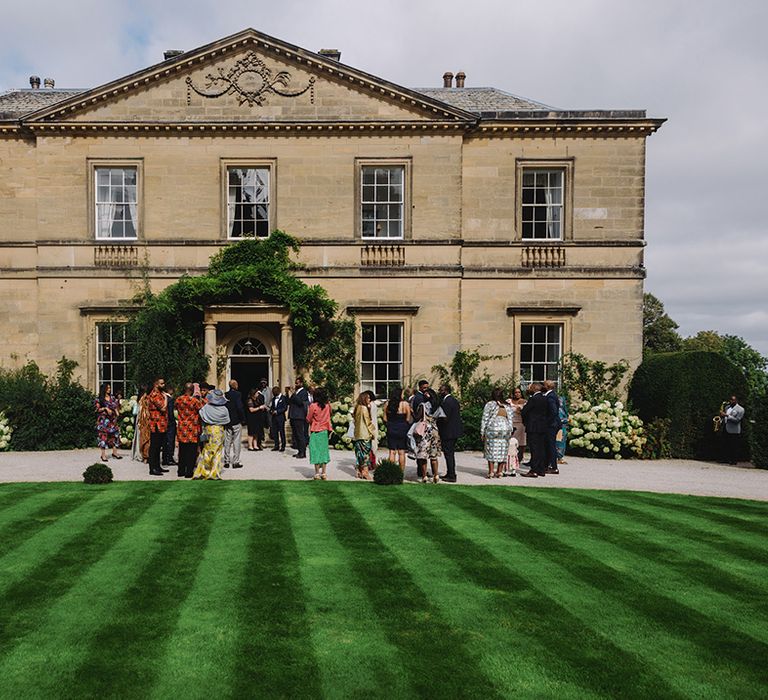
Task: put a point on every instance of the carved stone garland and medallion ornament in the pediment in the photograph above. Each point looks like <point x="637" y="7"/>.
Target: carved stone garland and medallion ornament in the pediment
<point x="250" y="80"/>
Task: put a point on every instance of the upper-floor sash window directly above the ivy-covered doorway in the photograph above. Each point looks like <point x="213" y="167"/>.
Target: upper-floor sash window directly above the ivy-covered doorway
<point x="248" y="202"/>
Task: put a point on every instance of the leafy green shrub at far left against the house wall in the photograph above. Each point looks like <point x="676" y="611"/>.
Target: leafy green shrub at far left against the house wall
<point x="47" y="413"/>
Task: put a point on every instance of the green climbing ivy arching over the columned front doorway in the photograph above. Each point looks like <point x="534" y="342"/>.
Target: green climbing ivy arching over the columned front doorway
<point x="168" y="327"/>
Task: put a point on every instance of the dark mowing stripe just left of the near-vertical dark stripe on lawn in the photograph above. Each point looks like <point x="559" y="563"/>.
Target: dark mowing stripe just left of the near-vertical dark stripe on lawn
<point x="126" y="652"/>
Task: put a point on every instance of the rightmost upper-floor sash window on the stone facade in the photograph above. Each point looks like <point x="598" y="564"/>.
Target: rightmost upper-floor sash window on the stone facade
<point x="542" y="197"/>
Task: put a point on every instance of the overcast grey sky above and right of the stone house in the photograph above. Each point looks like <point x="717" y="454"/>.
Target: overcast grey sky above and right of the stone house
<point x="703" y="65"/>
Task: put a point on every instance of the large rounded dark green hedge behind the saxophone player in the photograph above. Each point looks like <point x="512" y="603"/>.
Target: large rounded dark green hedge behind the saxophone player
<point x="688" y="388"/>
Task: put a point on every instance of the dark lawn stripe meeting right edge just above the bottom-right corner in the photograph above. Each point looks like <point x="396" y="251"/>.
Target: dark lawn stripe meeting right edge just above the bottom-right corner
<point x="718" y="642"/>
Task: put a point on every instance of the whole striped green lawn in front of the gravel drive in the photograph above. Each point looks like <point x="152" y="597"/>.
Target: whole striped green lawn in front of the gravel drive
<point x="342" y="590"/>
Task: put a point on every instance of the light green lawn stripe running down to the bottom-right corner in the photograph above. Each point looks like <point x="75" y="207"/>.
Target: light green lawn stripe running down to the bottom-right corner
<point x="664" y="654"/>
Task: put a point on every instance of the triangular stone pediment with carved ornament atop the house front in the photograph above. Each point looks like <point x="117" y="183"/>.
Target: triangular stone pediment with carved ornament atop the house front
<point x="249" y="77"/>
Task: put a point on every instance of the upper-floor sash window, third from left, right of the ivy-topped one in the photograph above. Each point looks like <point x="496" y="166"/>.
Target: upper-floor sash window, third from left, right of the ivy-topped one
<point x="382" y="201"/>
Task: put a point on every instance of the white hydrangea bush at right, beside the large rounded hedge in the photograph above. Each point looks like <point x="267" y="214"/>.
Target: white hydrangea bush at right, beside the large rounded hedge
<point x="606" y="430"/>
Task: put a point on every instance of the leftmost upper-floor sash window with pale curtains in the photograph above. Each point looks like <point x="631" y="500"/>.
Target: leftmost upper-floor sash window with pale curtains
<point x="117" y="203"/>
